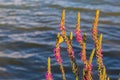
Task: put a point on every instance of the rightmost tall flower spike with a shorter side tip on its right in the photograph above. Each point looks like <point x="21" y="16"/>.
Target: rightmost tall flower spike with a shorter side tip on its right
<point x="98" y="47"/>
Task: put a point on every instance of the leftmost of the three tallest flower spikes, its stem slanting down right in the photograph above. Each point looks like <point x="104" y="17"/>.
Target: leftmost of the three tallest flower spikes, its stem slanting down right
<point x="69" y="46"/>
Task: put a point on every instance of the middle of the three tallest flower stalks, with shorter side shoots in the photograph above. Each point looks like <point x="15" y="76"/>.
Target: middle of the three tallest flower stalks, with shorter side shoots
<point x="87" y="70"/>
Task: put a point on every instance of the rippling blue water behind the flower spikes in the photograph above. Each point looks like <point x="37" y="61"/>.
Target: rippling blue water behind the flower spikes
<point x="28" y="30"/>
